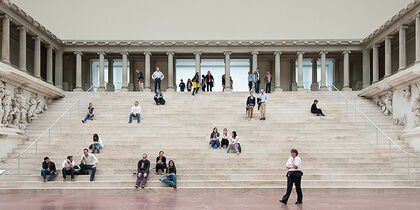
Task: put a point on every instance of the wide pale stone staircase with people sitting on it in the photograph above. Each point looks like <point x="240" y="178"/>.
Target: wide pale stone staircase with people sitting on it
<point x="339" y="152"/>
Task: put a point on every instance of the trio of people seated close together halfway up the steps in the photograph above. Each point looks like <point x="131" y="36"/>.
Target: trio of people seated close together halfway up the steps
<point x="233" y="143"/>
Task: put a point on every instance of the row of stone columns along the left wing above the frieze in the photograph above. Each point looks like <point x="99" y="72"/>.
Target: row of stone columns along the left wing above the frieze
<point x="5" y="57"/>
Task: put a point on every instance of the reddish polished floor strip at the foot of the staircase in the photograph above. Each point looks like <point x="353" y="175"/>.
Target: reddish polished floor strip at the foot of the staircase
<point x="196" y="201"/>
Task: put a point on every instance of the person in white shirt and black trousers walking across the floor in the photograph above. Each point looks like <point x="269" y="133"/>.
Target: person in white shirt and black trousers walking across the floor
<point x="294" y="175"/>
